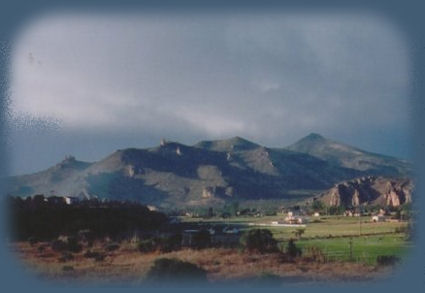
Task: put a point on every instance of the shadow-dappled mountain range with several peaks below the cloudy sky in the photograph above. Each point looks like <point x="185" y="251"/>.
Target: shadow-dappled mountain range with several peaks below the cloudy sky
<point x="209" y="172"/>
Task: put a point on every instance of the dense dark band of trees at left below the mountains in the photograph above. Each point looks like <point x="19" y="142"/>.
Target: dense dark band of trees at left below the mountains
<point x="47" y="218"/>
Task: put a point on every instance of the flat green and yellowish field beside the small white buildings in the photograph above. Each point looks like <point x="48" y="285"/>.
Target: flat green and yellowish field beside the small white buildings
<point x="332" y="235"/>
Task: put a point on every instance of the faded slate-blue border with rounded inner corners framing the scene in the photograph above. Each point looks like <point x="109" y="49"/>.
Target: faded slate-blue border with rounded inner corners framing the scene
<point x="406" y="15"/>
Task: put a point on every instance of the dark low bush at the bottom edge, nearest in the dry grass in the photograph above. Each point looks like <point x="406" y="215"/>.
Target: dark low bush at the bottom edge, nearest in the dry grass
<point x="174" y="270"/>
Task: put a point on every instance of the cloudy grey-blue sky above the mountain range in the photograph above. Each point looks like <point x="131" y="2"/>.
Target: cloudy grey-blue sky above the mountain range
<point x="87" y="85"/>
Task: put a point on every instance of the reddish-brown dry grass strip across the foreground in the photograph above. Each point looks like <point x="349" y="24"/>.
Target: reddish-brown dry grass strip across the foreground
<point x="129" y="265"/>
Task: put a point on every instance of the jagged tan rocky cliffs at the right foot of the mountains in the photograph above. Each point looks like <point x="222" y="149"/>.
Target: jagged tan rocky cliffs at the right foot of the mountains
<point x="369" y="190"/>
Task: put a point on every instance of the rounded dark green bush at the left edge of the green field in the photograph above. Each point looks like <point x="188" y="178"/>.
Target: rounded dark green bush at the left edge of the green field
<point x="260" y="240"/>
